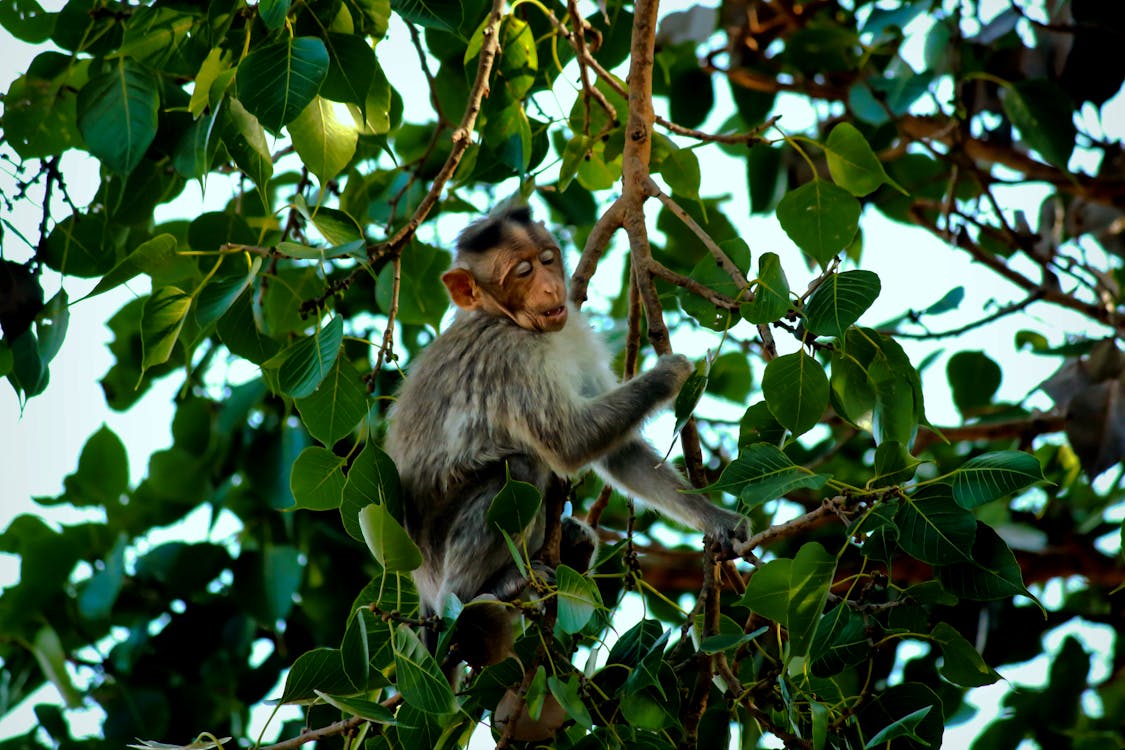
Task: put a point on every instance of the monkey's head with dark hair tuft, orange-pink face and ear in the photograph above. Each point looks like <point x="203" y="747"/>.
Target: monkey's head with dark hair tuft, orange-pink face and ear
<point x="509" y="266"/>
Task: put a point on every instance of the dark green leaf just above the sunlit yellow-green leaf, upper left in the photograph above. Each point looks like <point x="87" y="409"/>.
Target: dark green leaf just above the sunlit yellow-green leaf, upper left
<point x="277" y="82"/>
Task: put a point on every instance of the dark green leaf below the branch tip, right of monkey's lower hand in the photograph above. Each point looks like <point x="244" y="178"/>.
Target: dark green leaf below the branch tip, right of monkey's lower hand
<point x="934" y="529"/>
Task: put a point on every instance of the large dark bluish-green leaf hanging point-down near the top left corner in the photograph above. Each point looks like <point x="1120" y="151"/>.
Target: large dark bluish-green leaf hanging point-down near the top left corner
<point x="118" y="114"/>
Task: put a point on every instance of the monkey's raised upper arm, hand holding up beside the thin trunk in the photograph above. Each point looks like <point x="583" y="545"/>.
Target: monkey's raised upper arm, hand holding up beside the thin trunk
<point x="572" y="432"/>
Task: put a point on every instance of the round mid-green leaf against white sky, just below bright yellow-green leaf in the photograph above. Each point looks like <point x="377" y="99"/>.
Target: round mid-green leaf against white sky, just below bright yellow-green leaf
<point x="821" y="218"/>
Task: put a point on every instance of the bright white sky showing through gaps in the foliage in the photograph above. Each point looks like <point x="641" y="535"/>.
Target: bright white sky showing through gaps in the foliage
<point x="40" y="442"/>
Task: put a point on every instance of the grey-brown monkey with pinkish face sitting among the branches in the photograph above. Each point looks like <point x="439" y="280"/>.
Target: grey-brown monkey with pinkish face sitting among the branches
<point x="520" y="386"/>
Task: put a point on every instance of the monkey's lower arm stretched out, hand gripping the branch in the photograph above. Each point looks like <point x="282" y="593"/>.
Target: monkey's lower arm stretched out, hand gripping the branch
<point x="636" y="469"/>
